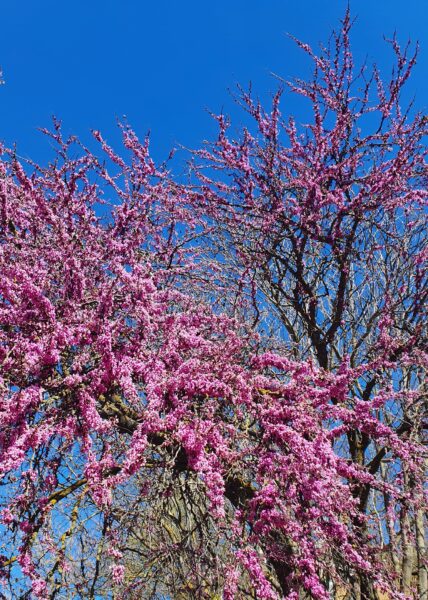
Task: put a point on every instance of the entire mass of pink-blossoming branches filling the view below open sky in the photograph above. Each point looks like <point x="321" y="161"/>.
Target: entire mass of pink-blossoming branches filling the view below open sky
<point x="216" y="390"/>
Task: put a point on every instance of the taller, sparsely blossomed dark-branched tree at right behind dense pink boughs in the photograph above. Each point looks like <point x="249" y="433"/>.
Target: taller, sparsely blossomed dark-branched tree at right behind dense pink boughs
<point x="323" y="231"/>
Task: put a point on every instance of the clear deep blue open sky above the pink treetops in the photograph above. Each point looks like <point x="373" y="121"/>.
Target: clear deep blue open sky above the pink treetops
<point x="164" y="62"/>
